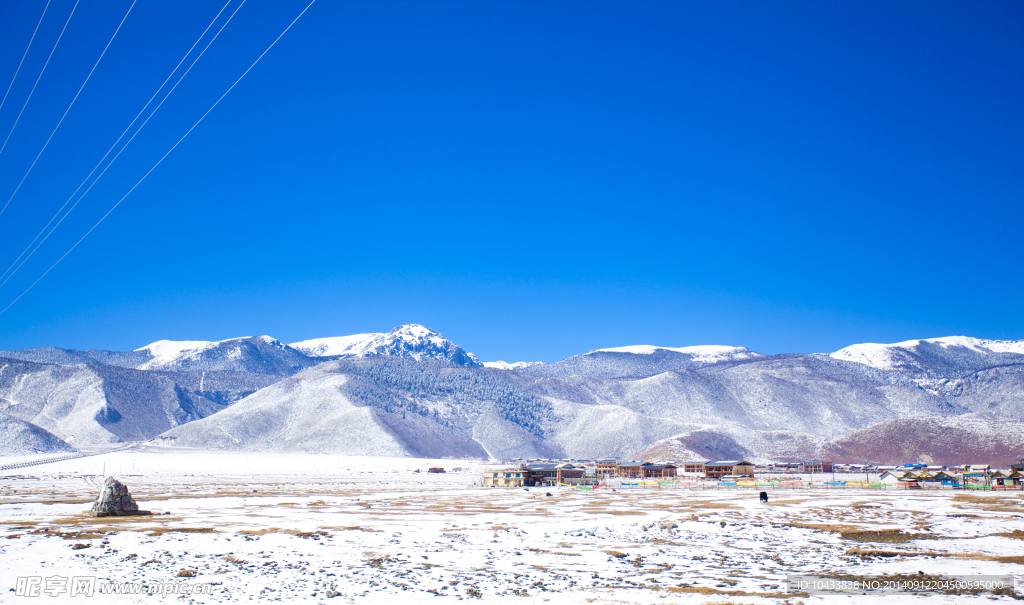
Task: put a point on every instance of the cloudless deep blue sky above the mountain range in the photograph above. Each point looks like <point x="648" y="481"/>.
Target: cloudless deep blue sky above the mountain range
<point x="533" y="180"/>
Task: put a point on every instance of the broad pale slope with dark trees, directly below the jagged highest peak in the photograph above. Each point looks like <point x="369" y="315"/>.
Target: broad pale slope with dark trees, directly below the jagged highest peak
<point x="388" y="406"/>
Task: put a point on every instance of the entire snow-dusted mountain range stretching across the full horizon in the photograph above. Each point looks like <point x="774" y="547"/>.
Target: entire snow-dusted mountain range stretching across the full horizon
<point x="411" y="392"/>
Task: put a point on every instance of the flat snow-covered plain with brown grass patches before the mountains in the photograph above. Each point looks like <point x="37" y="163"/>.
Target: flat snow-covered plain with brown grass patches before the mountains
<point x="337" y="530"/>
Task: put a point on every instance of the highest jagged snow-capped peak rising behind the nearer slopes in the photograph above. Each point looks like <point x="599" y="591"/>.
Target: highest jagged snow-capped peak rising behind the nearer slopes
<point x="411" y="340"/>
